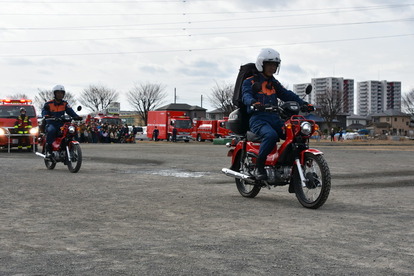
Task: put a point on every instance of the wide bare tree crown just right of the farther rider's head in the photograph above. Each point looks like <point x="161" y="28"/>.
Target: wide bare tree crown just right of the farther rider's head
<point x="97" y="98"/>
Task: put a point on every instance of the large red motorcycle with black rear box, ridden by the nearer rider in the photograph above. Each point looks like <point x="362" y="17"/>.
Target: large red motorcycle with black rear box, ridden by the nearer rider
<point x="293" y="163"/>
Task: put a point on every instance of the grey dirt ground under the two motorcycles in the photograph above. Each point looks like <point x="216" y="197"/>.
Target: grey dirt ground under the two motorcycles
<point x="158" y="208"/>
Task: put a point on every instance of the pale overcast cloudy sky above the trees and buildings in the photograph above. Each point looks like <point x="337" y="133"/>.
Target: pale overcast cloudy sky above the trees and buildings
<point x="192" y="45"/>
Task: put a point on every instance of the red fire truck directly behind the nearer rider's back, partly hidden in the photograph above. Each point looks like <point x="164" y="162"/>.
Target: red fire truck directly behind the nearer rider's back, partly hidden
<point x="210" y="129"/>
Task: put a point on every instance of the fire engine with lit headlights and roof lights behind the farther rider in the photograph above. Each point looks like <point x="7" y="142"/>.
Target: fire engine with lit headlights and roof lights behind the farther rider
<point x="9" y="112"/>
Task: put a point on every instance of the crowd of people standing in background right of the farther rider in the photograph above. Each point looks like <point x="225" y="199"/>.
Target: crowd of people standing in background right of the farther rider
<point x="104" y="133"/>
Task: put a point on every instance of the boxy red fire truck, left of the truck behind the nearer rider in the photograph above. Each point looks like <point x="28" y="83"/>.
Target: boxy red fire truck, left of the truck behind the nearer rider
<point x="166" y="121"/>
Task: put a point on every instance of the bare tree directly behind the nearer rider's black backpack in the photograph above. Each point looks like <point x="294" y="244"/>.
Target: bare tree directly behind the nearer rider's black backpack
<point x="222" y="97"/>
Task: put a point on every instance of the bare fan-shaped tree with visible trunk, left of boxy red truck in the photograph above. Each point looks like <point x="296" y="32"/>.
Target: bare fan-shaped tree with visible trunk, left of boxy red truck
<point x="146" y="97"/>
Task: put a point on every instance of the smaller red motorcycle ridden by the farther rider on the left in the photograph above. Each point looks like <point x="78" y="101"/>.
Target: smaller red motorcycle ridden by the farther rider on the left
<point x="65" y="148"/>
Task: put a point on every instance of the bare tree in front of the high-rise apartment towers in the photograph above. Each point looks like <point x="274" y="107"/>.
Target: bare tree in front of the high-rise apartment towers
<point x="329" y="105"/>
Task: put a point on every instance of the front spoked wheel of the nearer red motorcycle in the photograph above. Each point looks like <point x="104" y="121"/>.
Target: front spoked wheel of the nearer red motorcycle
<point x="318" y="182"/>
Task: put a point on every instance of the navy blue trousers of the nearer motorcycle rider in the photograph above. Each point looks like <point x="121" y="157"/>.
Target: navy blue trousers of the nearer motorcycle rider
<point x="268" y="126"/>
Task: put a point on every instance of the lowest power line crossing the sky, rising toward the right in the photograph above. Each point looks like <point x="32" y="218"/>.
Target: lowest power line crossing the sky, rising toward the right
<point x="207" y="49"/>
